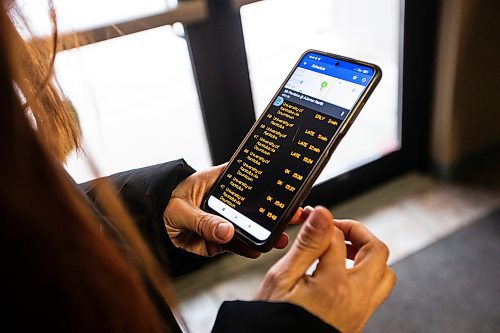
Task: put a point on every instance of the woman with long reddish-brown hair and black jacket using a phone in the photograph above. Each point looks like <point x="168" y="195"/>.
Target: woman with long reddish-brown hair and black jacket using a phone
<point x="92" y="258"/>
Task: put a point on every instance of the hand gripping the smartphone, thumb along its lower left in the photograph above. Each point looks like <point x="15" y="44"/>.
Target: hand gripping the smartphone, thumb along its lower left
<point x="202" y="233"/>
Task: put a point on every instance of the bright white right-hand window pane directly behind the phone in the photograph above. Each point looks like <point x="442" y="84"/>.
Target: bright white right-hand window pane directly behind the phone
<point x="350" y="28"/>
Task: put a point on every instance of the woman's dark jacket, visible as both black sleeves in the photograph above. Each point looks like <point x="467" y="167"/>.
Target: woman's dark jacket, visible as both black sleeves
<point x="146" y="192"/>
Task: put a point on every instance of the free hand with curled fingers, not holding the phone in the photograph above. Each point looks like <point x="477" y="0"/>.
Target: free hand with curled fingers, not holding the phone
<point x="343" y="298"/>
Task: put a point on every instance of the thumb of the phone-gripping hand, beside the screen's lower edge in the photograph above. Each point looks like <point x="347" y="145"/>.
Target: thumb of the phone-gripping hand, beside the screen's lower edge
<point x="211" y="228"/>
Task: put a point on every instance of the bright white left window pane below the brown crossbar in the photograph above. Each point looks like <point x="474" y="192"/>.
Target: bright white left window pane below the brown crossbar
<point x="137" y="102"/>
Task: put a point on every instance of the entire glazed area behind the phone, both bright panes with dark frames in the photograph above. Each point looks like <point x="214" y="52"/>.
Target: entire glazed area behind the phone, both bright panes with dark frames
<point x="163" y="79"/>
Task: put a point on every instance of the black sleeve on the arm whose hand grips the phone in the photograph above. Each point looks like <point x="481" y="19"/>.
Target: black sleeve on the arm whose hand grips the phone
<point x="146" y="192"/>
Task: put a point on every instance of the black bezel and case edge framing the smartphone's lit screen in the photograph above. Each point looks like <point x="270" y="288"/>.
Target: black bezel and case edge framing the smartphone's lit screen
<point x="305" y="188"/>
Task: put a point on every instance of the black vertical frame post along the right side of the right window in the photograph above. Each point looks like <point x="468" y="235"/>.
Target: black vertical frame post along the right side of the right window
<point x="420" y="38"/>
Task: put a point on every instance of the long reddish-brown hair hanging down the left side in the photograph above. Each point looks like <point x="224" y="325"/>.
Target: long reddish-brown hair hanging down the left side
<point x="60" y="272"/>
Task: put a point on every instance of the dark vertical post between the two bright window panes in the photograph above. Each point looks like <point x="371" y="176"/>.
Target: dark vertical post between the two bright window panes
<point x="217" y="52"/>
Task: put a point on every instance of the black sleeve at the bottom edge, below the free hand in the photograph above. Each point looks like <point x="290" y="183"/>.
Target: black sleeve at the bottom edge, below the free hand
<point x="262" y="317"/>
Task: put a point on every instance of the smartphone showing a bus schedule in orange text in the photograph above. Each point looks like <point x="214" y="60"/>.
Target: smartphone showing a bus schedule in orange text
<point x="274" y="168"/>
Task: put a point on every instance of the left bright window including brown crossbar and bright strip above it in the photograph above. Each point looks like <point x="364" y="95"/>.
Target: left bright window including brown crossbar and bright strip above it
<point x="135" y="95"/>
